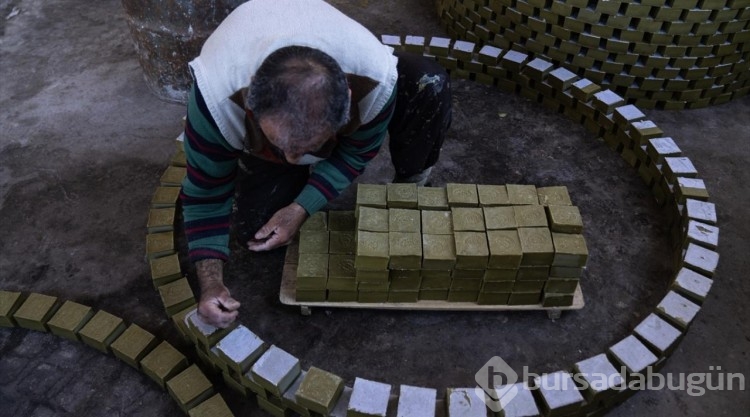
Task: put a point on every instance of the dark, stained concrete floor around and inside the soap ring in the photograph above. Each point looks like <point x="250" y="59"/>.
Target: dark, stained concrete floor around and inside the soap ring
<point x="82" y="146"/>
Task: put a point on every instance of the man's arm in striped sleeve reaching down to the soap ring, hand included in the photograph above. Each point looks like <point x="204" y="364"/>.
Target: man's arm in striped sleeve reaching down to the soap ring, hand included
<point x="206" y="197"/>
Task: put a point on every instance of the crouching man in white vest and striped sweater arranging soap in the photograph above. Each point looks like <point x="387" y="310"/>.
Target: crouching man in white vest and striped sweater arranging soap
<point x="291" y="100"/>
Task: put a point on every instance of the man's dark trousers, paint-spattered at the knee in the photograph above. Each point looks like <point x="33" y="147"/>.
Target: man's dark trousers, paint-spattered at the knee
<point x="416" y="132"/>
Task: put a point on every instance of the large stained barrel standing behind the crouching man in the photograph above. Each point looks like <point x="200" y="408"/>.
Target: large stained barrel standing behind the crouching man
<point x="167" y="34"/>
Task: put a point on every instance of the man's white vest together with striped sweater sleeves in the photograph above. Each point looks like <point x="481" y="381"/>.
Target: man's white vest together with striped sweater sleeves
<point x="215" y="121"/>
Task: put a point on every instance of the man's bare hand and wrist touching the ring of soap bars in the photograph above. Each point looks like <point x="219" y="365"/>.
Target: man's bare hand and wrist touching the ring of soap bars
<point x="216" y="306"/>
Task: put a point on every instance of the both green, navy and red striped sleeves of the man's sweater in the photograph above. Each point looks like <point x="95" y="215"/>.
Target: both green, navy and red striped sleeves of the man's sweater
<point x="208" y="189"/>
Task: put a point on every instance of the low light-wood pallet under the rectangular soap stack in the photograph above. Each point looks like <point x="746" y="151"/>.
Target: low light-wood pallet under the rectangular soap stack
<point x="289" y="284"/>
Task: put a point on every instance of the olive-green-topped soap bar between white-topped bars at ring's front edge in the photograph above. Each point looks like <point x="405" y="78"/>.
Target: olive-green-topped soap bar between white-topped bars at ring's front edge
<point x="319" y="390"/>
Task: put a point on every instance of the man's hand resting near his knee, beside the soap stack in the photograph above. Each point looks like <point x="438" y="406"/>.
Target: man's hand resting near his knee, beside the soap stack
<point x="280" y="230"/>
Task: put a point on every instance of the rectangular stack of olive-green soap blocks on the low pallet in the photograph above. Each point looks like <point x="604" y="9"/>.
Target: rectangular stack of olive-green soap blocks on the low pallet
<point x="490" y="244"/>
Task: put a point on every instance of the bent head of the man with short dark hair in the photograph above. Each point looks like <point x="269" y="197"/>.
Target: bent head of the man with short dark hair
<point x="302" y="87"/>
